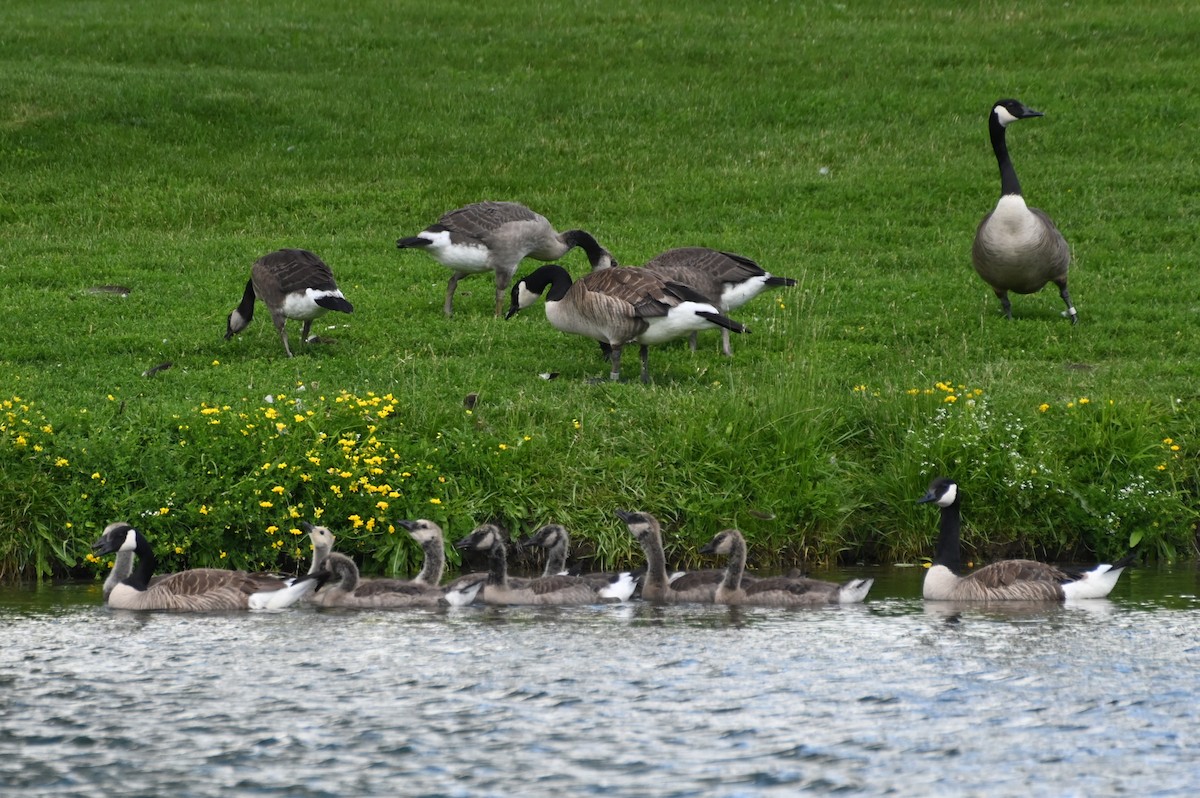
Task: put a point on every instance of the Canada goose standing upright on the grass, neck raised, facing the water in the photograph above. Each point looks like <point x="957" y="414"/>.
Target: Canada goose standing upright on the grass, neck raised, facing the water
<point x="1018" y="248"/>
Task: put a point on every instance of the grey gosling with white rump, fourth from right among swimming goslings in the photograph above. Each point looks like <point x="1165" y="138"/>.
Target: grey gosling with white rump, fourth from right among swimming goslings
<point x="544" y="590"/>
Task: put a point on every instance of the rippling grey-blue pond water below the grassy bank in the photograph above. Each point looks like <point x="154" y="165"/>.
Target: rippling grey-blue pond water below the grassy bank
<point x="891" y="698"/>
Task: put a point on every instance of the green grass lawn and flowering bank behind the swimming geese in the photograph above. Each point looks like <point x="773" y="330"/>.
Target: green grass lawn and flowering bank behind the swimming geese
<point x="166" y="146"/>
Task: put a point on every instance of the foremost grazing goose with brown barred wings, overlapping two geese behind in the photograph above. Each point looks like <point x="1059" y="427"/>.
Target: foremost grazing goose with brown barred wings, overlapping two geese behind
<point x="619" y="307"/>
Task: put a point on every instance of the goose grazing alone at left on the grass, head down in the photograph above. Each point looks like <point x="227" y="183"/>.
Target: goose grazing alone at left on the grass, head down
<point x="293" y="285"/>
